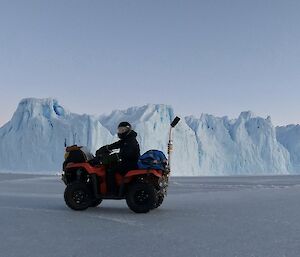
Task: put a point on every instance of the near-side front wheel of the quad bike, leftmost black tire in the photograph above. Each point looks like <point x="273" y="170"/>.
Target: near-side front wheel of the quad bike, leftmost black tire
<point x="77" y="196"/>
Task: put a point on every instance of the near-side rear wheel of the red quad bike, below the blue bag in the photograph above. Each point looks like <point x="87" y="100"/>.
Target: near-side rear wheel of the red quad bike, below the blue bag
<point x="141" y="197"/>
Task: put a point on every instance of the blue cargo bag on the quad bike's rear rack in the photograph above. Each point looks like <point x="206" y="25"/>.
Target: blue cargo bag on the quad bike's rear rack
<point x="153" y="159"/>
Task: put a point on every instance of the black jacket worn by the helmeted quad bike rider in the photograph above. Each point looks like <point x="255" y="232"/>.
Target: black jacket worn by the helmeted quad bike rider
<point x="129" y="150"/>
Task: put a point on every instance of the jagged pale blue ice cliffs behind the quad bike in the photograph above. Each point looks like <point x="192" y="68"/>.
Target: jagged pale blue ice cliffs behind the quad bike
<point x="33" y="141"/>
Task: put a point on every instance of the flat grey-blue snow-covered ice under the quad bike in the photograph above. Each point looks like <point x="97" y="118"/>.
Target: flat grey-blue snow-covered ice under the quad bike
<point x="207" y="216"/>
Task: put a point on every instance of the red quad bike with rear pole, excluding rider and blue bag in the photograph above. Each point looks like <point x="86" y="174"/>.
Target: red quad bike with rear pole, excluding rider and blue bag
<point x="86" y="185"/>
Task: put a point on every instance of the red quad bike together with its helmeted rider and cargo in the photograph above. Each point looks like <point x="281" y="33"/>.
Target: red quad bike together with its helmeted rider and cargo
<point x="89" y="180"/>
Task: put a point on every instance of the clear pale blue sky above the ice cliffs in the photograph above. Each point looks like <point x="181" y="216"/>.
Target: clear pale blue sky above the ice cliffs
<point x="214" y="56"/>
